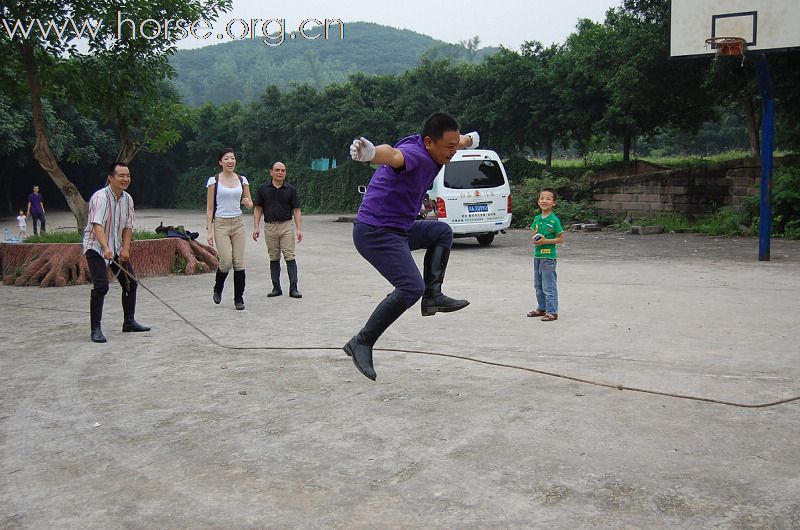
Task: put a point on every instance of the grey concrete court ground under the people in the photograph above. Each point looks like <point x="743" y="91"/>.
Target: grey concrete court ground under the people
<point x="165" y="430"/>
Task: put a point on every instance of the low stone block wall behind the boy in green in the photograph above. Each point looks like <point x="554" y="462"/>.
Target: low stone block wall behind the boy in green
<point x="685" y="191"/>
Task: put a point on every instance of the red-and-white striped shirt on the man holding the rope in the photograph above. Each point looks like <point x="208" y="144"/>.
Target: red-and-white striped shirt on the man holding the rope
<point x="114" y="215"/>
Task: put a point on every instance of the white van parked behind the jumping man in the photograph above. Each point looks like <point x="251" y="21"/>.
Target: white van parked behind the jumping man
<point x="472" y="195"/>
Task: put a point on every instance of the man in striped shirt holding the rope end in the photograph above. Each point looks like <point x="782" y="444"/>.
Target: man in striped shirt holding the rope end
<point x="107" y="243"/>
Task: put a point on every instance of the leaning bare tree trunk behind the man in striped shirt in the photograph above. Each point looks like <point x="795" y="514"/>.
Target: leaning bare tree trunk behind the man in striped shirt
<point x="41" y="150"/>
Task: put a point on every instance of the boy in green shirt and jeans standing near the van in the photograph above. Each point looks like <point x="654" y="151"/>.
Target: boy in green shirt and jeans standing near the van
<point x="547" y="233"/>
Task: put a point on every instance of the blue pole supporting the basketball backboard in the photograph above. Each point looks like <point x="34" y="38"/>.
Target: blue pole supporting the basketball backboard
<point x="767" y="147"/>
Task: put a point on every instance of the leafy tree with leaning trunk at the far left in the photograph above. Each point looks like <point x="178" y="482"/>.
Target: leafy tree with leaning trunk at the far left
<point x="41" y="47"/>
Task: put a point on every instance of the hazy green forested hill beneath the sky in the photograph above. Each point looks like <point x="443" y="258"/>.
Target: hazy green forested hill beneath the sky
<point x="241" y="70"/>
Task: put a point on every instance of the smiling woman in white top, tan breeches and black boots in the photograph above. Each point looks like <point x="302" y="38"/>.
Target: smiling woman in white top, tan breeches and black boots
<point x="227" y="192"/>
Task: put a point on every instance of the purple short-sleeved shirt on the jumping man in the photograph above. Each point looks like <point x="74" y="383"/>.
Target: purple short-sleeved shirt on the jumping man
<point x="394" y="196"/>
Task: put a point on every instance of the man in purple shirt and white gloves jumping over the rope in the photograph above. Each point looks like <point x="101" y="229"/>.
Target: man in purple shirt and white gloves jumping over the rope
<point x="385" y="231"/>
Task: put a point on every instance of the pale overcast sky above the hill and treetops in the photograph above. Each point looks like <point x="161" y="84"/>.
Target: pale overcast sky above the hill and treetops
<point x="496" y="22"/>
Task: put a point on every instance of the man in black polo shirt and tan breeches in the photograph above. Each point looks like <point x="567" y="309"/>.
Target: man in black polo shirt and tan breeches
<point x="280" y="206"/>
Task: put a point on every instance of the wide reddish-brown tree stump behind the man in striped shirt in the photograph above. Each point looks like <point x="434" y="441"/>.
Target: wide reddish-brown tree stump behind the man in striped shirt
<point x="60" y="264"/>
